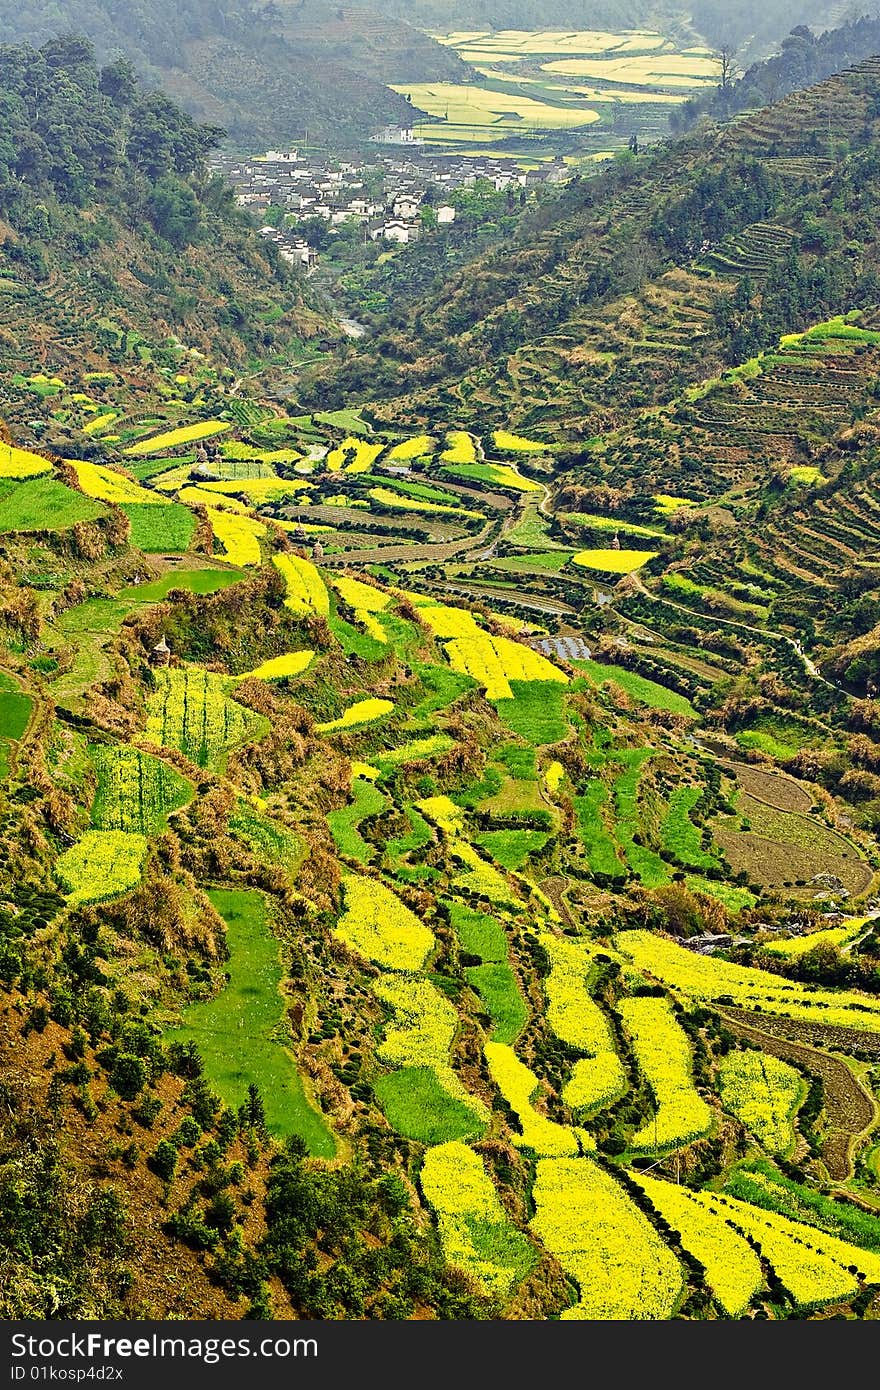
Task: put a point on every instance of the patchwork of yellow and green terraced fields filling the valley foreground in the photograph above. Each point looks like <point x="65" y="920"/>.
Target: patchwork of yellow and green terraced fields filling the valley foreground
<point x="440" y="815"/>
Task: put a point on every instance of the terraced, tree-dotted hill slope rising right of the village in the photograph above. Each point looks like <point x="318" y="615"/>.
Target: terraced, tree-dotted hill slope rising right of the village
<point x="608" y="290"/>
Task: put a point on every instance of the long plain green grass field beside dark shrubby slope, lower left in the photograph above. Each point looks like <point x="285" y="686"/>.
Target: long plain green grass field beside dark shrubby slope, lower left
<point x="237" y="1032"/>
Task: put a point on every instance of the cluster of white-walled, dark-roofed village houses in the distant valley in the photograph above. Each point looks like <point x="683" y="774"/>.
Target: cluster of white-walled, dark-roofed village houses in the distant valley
<point x="337" y="191"/>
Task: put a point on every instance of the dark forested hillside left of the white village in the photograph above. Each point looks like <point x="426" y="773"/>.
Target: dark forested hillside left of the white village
<point x="113" y="236"/>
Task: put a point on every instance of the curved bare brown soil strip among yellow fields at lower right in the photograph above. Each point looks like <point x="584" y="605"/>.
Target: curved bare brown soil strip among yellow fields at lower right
<point x="847" y="1104"/>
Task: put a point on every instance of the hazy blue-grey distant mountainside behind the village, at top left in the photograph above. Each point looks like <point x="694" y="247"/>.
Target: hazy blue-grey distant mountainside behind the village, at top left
<point x="230" y="65"/>
